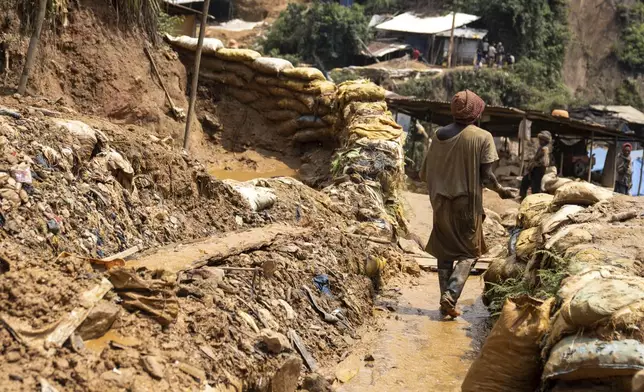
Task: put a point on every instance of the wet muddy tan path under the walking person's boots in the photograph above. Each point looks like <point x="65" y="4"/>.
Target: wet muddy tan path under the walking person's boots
<point x="413" y="350"/>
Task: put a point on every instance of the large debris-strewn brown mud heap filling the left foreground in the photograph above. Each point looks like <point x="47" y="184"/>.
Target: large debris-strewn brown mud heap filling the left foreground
<point x="251" y="300"/>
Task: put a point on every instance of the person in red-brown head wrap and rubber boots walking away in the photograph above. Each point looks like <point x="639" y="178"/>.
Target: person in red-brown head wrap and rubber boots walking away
<point x="457" y="166"/>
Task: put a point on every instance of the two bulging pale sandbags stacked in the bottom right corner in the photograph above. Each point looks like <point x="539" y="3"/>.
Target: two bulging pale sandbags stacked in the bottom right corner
<point x="596" y="334"/>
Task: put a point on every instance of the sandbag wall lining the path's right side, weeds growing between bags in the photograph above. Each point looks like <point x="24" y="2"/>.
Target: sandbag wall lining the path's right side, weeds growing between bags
<point x="596" y="331"/>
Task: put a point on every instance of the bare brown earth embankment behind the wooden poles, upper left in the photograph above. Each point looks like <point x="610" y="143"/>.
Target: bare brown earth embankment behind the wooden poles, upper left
<point x="96" y="67"/>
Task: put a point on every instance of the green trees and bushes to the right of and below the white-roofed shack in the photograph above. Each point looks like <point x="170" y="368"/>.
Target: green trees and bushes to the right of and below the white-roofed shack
<point x="535" y="32"/>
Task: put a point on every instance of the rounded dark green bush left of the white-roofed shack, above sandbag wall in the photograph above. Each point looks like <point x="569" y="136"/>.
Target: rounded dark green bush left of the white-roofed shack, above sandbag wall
<point x="327" y="31"/>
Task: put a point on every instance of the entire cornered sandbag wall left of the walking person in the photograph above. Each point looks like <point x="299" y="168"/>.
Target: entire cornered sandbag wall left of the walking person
<point x="305" y="107"/>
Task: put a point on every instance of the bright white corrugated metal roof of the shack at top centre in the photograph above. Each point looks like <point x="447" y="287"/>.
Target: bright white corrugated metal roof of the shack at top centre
<point x="411" y="23"/>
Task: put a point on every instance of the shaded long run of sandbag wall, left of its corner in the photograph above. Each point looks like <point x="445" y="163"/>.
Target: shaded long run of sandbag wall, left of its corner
<point x="297" y="100"/>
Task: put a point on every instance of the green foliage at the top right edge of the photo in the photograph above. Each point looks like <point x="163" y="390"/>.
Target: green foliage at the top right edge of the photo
<point x="630" y="50"/>
